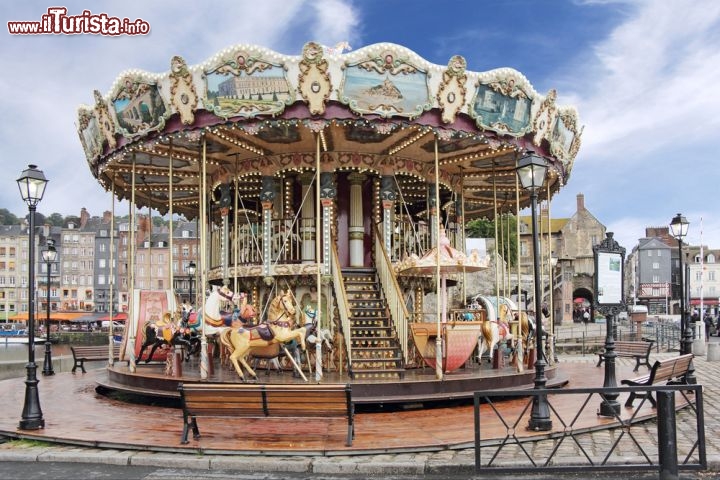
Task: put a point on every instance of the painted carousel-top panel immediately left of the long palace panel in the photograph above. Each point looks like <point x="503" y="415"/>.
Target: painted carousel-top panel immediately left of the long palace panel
<point x="139" y="108"/>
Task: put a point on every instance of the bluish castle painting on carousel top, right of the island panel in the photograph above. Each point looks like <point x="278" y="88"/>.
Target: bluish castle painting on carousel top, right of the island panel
<point x="502" y="106"/>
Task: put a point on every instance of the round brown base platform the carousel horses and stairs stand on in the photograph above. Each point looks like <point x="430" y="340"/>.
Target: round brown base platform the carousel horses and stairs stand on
<point x="419" y="385"/>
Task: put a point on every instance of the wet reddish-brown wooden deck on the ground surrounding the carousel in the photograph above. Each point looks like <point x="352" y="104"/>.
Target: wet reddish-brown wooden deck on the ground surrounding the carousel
<point x="76" y="414"/>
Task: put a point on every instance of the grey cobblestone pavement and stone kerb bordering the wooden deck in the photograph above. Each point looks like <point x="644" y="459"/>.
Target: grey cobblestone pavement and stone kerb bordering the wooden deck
<point x="438" y="464"/>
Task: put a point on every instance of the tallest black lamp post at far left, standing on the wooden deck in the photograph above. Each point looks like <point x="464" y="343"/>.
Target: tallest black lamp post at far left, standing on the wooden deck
<point x="32" y="183"/>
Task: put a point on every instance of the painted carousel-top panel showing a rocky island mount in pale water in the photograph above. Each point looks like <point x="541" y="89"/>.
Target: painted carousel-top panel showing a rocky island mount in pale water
<point x="386" y="85"/>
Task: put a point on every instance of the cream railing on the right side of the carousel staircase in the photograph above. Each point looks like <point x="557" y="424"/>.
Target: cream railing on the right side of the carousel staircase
<point x="393" y="294"/>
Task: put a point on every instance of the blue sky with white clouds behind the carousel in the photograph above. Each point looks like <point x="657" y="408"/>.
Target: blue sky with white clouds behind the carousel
<point x="642" y="75"/>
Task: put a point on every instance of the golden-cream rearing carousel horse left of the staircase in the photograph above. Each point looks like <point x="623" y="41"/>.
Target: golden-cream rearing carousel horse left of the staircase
<point x="279" y="328"/>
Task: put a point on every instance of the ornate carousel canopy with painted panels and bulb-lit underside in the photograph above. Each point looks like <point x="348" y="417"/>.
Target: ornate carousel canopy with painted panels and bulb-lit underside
<point x="249" y="112"/>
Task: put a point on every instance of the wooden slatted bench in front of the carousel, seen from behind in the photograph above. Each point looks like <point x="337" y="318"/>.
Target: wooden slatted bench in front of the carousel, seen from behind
<point x="256" y="401"/>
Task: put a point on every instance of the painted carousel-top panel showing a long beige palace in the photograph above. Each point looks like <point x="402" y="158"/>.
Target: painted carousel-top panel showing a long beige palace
<point x="246" y="85"/>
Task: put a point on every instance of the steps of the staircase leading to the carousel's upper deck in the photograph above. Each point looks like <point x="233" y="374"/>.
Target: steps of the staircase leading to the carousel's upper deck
<point x="375" y="349"/>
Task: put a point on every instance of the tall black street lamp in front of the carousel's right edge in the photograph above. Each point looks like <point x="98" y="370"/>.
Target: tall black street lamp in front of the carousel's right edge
<point x="531" y="172"/>
